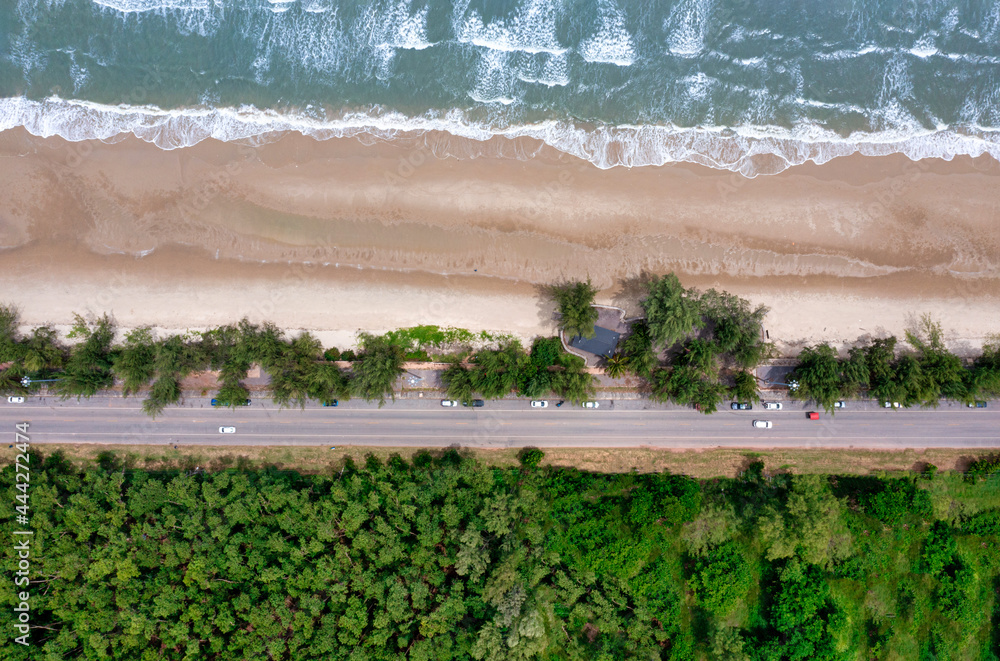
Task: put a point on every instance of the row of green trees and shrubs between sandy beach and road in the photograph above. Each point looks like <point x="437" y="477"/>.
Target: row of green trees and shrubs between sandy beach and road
<point x="690" y="348"/>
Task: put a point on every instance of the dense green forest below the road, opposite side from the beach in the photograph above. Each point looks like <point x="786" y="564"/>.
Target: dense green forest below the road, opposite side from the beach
<point x="445" y="558"/>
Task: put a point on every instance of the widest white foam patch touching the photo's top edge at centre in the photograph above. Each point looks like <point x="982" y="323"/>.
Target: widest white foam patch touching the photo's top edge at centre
<point x="531" y="30"/>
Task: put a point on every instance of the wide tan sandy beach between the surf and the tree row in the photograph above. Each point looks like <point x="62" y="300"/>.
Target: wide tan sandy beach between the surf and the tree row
<point x="337" y="236"/>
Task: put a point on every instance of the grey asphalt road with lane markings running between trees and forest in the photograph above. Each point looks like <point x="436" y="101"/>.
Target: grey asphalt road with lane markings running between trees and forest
<point x="505" y="423"/>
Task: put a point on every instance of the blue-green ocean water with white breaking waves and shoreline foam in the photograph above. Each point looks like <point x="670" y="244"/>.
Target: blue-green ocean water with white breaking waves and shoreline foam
<point x="753" y="86"/>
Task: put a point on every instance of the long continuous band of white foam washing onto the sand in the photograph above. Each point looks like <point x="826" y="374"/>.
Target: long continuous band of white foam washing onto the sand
<point x="738" y="149"/>
